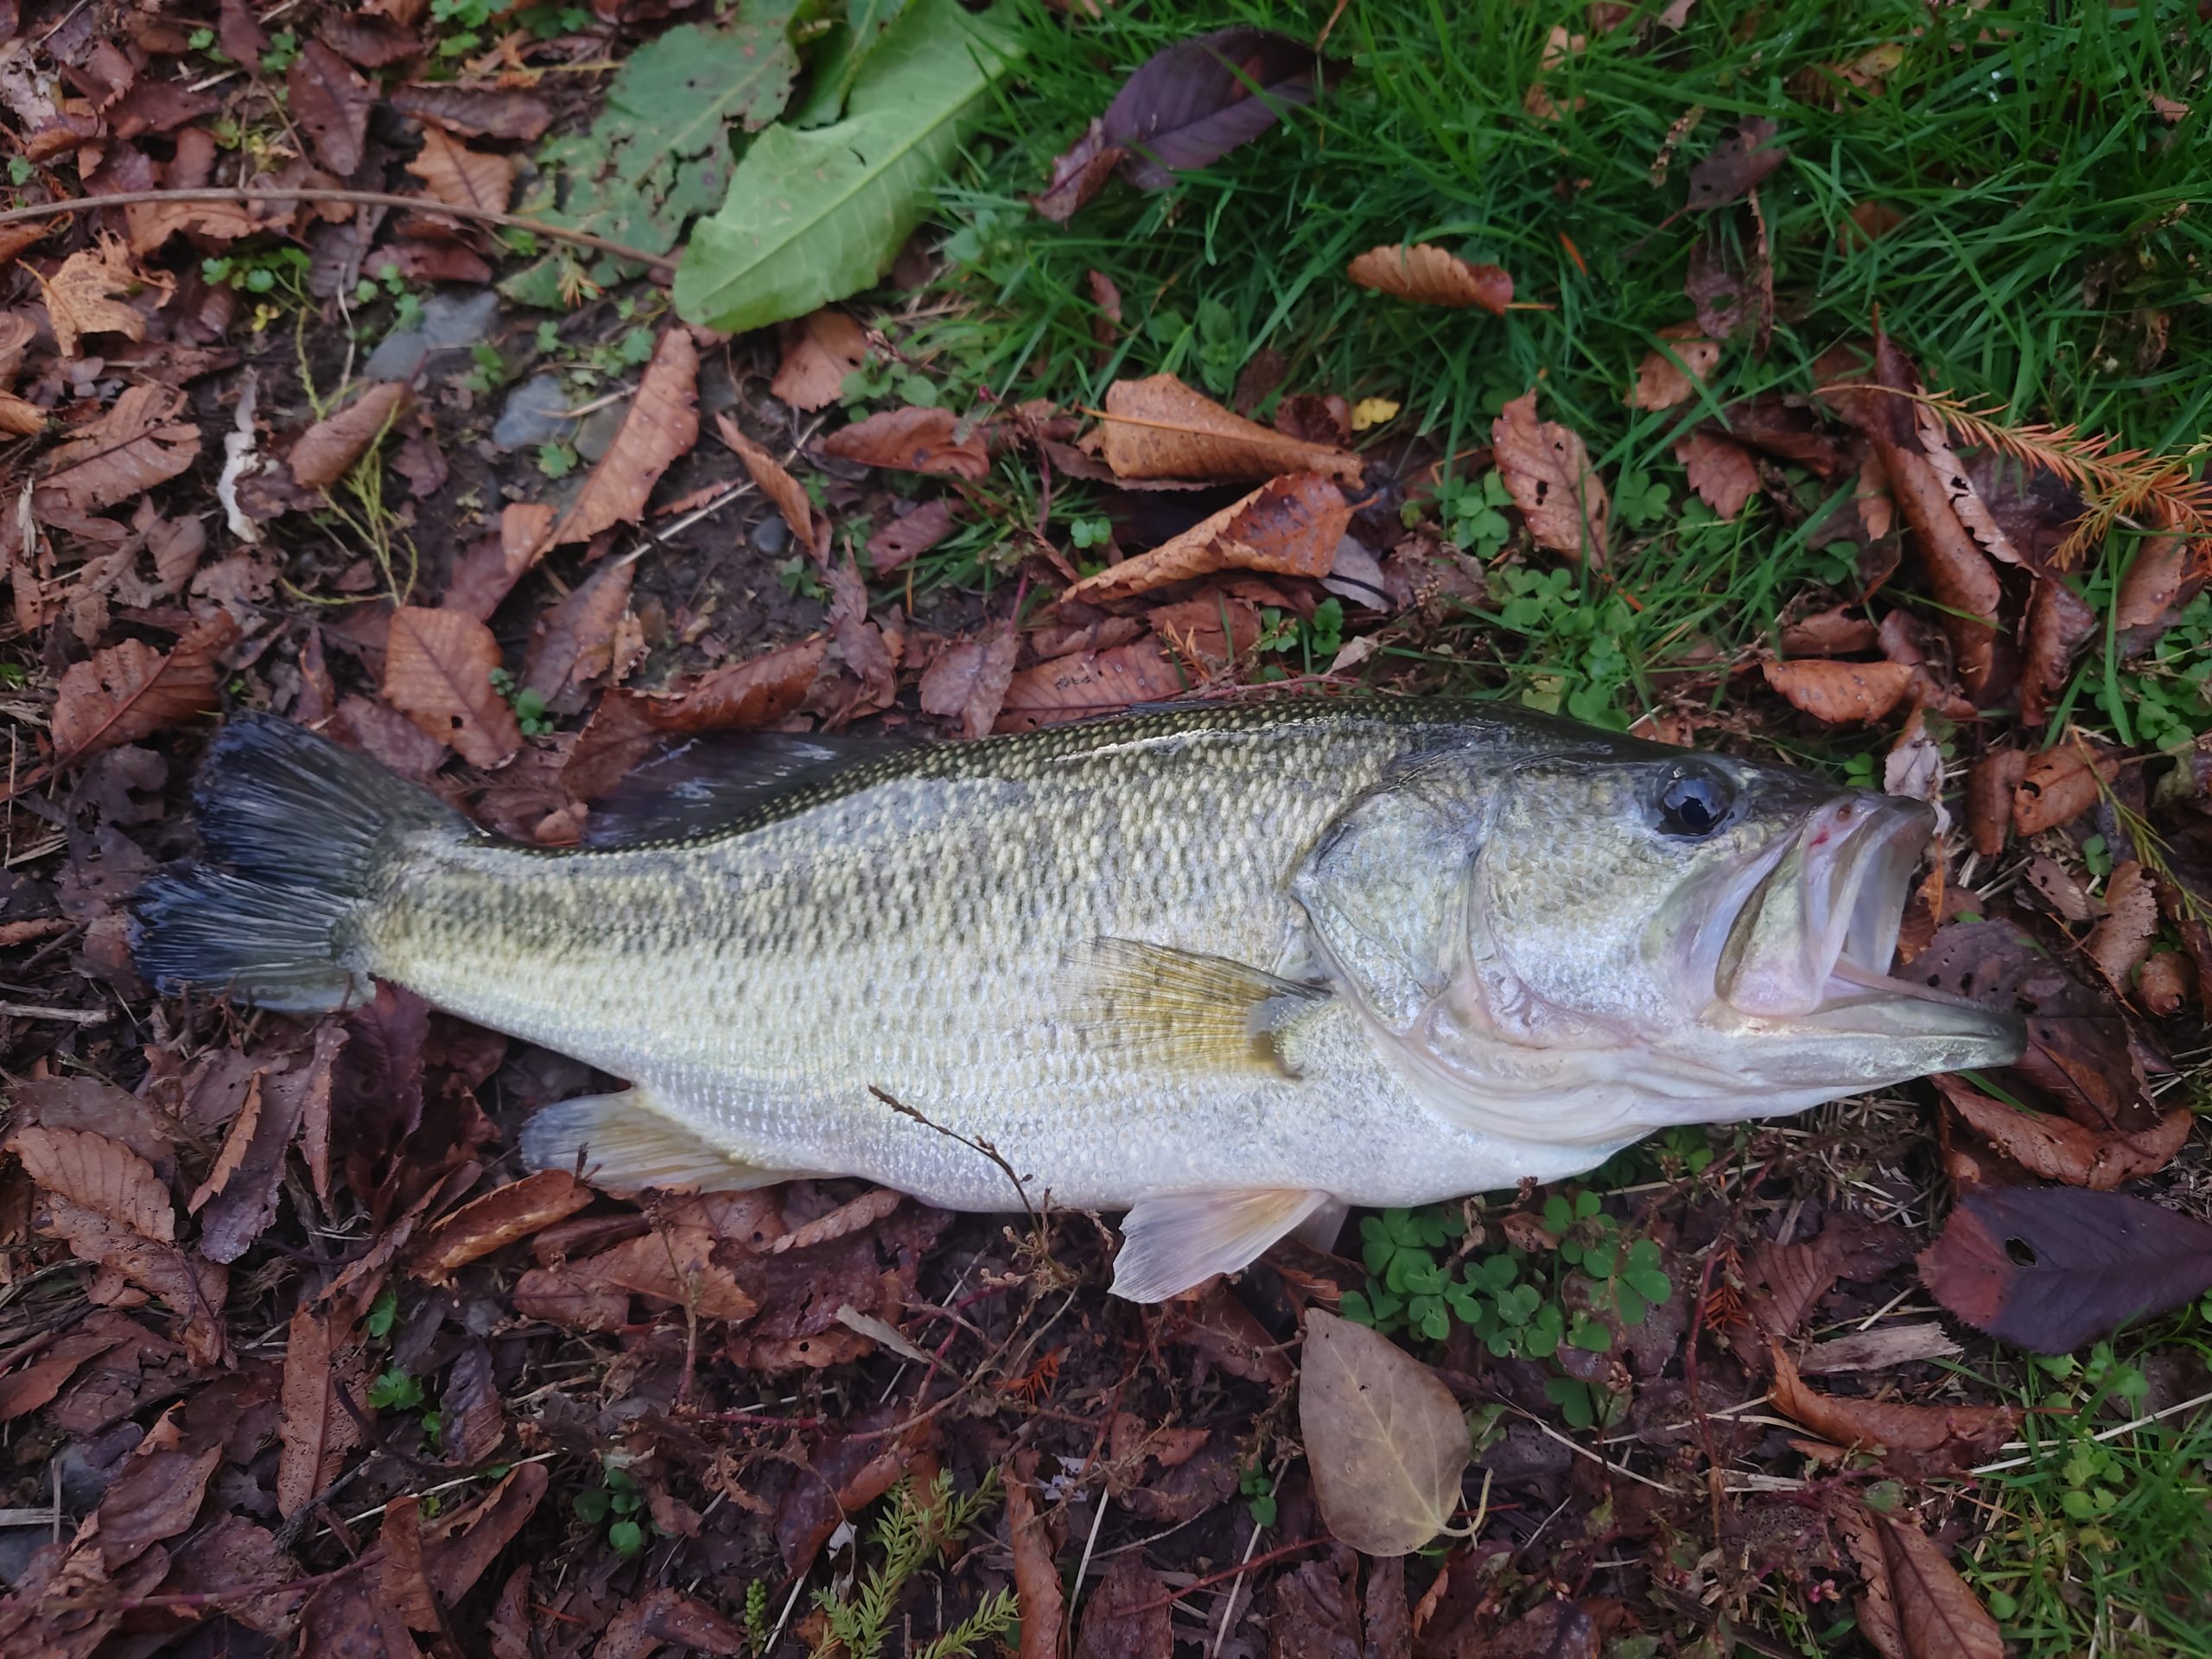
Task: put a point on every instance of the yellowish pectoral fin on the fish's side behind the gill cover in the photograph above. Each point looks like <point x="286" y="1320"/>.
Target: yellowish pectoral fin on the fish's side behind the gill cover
<point x="1185" y="1010"/>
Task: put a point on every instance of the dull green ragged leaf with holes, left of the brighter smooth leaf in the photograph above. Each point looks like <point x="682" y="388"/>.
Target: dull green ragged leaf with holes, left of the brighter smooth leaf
<point x="660" y="152"/>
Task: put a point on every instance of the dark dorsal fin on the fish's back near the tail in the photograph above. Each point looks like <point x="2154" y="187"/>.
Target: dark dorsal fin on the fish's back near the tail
<point x="700" y="784"/>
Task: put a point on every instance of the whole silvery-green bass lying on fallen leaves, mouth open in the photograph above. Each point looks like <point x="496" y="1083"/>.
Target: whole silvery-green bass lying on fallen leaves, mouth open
<point x="1227" y="968"/>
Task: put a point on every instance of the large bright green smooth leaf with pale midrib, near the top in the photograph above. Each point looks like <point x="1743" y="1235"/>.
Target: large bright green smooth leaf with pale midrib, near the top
<point x="820" y="216"/>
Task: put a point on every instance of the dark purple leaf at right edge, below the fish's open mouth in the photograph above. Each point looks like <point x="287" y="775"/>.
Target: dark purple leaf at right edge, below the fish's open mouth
<point x="2056" y="1269"/>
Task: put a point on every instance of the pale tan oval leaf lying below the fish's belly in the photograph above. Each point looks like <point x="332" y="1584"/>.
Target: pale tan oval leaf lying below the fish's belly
<point x="1384" y="1439"/>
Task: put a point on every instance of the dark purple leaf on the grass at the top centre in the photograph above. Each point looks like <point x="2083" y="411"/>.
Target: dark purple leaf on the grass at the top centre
<point x="1196" y="101"/>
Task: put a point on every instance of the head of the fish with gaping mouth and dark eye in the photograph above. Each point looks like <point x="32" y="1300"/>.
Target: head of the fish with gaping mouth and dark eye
<point x="1609" y="941"/>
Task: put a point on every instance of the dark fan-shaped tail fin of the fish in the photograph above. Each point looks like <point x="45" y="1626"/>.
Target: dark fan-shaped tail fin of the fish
<point x="300" y="835"/>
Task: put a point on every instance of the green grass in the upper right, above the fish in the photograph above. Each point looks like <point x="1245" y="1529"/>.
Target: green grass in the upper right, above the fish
<point x="2052" y="213"/>
